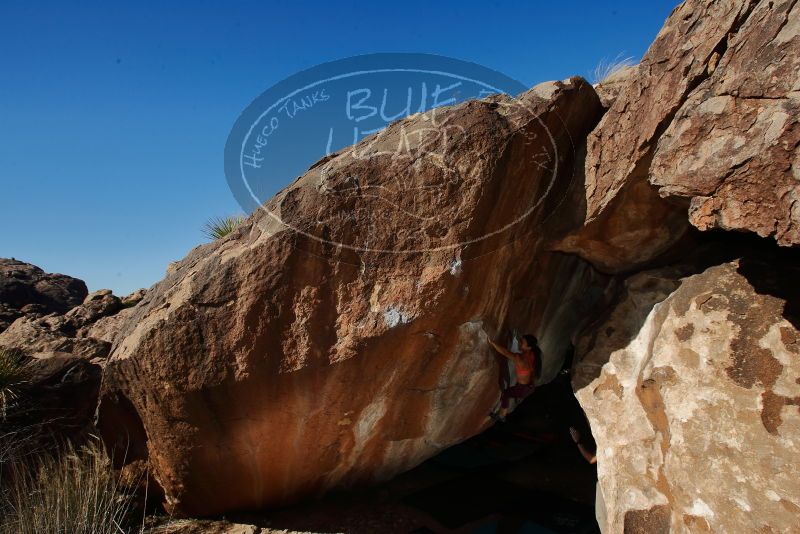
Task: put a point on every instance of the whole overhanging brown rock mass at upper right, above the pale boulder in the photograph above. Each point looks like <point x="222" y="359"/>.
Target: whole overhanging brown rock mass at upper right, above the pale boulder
<point x="708" y="123"/>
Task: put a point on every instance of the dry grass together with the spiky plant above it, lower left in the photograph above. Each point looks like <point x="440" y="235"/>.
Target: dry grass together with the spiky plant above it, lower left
<point x="47" y="485"/>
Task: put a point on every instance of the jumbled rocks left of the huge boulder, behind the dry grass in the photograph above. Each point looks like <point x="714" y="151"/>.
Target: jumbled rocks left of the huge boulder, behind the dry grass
<point x="64" y="334"/>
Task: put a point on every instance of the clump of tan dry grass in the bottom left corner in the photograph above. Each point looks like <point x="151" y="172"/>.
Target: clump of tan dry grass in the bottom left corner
<point x="76" y="491"/>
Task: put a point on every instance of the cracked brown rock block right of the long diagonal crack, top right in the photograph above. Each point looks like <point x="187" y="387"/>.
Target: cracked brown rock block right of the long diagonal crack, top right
<point x="732" y="147"/>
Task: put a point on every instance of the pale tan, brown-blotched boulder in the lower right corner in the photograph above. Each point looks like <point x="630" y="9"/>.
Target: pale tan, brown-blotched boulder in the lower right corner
<point x="696" y="414"/>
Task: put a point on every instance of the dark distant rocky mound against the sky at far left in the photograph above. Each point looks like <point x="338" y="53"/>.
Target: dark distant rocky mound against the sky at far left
<point x="27" y="290"/>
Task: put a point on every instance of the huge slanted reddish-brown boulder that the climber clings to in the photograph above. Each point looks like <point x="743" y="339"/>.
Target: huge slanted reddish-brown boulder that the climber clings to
<point x="318" y="350"/>
